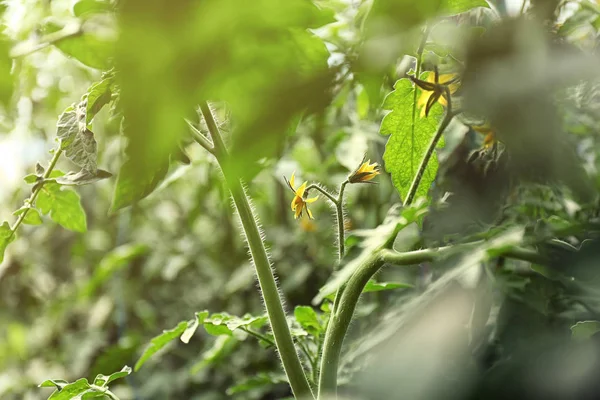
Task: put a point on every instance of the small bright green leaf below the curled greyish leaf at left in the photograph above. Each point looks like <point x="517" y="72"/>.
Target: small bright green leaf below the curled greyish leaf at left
<point x="63" y="205"/>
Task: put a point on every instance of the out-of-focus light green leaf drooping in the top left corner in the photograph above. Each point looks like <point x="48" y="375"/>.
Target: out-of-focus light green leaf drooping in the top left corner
<point x="85" y="46"/>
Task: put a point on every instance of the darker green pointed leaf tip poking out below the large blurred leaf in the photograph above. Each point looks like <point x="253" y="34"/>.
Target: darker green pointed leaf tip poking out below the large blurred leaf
<point x="132" y="187"/>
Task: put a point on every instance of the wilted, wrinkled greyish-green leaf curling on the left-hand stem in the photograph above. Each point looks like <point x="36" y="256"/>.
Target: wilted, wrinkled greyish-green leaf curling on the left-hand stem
<point x="76" y="140"/>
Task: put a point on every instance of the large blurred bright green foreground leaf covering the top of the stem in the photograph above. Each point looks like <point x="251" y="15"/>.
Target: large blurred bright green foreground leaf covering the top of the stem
<point x="251" y="55"/>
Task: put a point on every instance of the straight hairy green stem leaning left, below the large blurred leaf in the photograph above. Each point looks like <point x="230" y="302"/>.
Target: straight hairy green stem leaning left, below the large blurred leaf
<point x="266" y="279"/>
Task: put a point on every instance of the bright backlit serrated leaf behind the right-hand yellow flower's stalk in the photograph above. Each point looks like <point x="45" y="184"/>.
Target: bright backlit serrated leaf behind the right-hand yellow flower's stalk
<point x="408" y="142"/>
